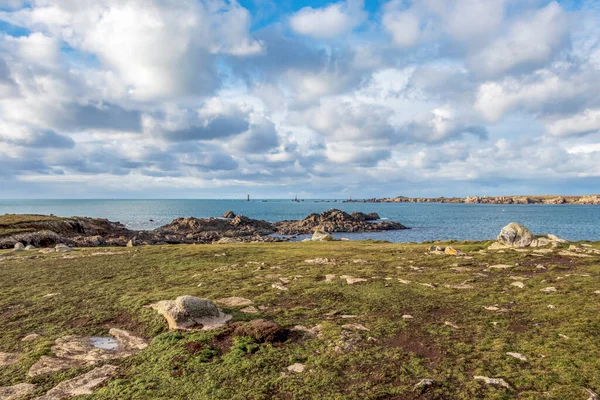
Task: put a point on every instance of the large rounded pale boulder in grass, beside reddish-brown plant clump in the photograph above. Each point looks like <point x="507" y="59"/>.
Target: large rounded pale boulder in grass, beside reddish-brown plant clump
<point x="187" y="312"/>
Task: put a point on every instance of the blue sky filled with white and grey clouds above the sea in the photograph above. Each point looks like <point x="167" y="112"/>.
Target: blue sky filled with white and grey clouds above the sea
<point x="323" y="99"/>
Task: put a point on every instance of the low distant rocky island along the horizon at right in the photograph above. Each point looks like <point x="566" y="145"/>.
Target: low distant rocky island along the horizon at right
<point x="544" y="199"/>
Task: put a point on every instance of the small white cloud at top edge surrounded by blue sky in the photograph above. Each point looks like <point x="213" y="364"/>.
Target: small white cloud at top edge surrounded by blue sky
<point x="330" y="21"/>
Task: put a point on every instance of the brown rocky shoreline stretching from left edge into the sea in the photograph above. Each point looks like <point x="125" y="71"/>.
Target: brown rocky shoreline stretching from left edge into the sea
<point x="49" y="231"/>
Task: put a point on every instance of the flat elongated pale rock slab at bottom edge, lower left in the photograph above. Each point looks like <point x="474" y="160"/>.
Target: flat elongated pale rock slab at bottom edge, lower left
<point x="81" y="385"/>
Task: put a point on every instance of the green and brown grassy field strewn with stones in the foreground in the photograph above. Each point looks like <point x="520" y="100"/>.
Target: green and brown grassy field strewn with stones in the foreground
<point x="450" y="338"/>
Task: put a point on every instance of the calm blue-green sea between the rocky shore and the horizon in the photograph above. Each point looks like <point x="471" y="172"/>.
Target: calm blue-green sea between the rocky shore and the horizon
<point x="428" y="221"/>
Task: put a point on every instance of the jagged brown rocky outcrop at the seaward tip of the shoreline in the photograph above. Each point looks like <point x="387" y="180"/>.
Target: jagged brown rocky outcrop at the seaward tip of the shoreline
<point x="336" y="221"/>
